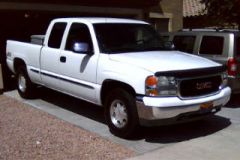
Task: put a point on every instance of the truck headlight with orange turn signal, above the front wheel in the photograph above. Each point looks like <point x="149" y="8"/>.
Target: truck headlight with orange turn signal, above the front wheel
<point x="161" y="86"/>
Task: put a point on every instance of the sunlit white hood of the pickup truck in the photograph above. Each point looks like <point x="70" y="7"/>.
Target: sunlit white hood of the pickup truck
<point x="157" y="61"/>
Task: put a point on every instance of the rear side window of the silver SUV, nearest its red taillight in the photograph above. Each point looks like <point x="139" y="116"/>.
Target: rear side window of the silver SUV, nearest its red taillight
<point x="212" y="45"/>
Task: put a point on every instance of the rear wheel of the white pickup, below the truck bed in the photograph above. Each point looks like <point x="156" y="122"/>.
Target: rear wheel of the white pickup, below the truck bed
<point x="24" y="85"/>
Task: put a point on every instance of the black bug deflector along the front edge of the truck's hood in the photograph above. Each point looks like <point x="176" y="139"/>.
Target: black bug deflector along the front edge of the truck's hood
<point x="193" y="72"/>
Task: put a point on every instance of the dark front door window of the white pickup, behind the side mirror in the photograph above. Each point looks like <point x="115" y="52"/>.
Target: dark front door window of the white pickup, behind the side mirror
<point x="78" y="33"/>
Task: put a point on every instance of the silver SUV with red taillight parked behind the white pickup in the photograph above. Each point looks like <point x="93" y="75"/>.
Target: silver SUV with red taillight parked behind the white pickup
<point x="219" y="45"/>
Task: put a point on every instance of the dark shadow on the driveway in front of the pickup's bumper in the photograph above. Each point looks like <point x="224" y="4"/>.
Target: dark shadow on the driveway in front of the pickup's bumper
<point x="185" y="131"/>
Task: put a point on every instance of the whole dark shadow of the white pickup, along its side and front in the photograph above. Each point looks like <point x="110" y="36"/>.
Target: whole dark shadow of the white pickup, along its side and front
<point x="162" y="134"/>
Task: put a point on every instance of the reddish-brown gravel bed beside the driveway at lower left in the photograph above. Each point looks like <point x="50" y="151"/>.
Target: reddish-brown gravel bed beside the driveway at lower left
<point x="27" y="133"/>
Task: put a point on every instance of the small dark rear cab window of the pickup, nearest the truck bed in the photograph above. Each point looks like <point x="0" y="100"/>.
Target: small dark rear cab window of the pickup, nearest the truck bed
<point x="56" y="35"/>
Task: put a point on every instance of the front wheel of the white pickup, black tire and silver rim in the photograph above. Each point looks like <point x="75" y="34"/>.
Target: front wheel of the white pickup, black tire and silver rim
<point x="121" y="113"/>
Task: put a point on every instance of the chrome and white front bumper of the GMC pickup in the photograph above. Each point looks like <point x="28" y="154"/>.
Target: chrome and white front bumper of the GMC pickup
<point x="163" y="108"/>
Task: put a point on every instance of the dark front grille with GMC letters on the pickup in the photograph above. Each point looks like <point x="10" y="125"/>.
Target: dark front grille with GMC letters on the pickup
<point x="200" y="86"/>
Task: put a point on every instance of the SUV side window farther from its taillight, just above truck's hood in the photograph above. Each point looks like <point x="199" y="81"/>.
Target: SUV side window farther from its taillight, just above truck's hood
<point x="184" y="43"/>
